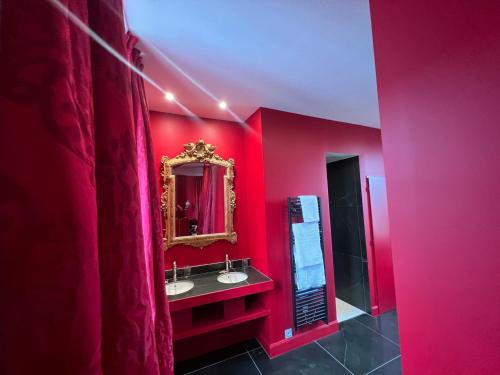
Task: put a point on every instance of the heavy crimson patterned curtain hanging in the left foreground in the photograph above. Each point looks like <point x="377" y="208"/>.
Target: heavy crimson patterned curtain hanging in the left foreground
<point x="81" y="276"/>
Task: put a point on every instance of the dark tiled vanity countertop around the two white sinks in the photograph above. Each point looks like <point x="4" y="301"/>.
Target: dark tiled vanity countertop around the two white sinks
<point x="206" y="283"/>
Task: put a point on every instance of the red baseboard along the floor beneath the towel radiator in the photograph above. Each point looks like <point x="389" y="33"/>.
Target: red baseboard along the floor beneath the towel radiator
<point x="278" y="348"/>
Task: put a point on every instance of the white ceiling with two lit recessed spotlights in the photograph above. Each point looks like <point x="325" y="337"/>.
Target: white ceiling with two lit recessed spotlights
<point x="313" y="57"/>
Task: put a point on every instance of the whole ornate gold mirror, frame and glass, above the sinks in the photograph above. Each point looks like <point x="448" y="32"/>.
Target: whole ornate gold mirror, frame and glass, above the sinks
<point x="198" y="198"/>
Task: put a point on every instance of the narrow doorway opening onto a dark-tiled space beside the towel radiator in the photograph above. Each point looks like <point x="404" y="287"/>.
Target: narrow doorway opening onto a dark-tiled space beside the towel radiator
<point x="348" y="236"/>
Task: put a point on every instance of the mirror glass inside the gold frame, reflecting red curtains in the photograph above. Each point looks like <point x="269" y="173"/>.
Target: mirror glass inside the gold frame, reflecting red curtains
<point x="199" y="199"/>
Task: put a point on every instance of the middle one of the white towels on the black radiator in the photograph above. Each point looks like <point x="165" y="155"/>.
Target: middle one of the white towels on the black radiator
<point x="307" y="250"/>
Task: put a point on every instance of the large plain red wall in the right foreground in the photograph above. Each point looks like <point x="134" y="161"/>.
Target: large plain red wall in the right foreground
<point x="439" y="89"/>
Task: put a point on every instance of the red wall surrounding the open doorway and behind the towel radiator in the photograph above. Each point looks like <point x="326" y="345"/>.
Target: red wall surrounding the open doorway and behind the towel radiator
<point x="295" y="149"/>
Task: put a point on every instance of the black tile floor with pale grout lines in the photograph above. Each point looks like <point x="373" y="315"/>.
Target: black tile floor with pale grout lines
<point x="364" y="345"/>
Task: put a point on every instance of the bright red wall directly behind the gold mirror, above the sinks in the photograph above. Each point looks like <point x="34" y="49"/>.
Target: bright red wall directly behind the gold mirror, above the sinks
<point x="169" y="133"/>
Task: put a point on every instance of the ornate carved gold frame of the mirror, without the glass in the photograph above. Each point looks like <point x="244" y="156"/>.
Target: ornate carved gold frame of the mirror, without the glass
<point x="199" y="152"/>
